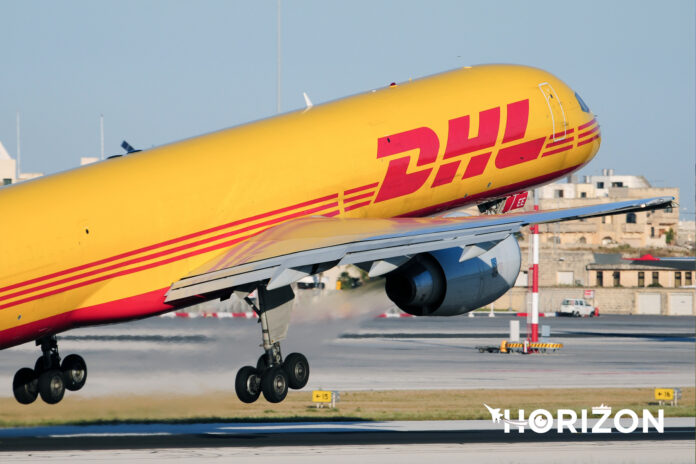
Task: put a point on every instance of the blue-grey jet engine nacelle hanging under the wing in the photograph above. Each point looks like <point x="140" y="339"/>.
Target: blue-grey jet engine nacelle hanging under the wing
<point x="438" y="284"/>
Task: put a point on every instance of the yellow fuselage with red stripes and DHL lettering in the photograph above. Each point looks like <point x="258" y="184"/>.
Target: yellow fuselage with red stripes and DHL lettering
<point x="104" y="242"/>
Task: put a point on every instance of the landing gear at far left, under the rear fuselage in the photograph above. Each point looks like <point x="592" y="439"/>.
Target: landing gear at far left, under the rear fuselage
<point x="50" y="377"/>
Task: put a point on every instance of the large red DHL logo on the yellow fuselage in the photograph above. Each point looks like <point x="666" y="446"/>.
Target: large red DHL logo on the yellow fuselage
<point x="399" y="181"/>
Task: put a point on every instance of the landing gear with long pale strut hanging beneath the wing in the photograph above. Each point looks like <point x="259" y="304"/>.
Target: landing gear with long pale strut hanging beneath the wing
<point x="272" y="375"/>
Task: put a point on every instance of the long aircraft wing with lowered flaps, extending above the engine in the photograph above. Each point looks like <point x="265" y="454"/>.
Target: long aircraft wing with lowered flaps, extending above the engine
<point x="295" y="249"/>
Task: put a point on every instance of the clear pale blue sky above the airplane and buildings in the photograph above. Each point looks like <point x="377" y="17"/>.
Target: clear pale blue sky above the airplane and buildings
<point x="161" y="71"/>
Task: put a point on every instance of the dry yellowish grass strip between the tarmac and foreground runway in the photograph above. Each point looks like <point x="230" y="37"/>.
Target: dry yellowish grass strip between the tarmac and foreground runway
<point x="223" y="406"/>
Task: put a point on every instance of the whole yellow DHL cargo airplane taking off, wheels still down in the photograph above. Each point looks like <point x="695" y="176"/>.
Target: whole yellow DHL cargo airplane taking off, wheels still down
<point x="369" y="180"/>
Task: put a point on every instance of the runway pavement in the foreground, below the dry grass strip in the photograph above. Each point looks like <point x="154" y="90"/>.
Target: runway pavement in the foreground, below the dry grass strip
<point x="314" y="442"/>
